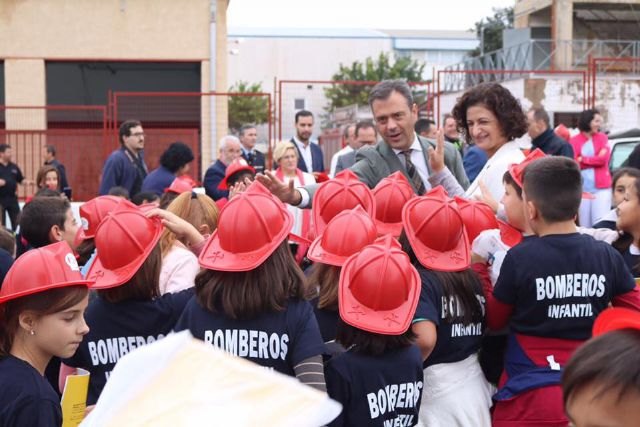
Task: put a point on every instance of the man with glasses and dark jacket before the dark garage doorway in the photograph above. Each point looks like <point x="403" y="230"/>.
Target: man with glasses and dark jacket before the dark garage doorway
<point x="125" y="167"/>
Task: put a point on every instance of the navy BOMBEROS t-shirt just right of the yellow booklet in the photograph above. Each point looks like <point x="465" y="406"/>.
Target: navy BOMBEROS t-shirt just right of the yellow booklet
<point x="116" y="329"/>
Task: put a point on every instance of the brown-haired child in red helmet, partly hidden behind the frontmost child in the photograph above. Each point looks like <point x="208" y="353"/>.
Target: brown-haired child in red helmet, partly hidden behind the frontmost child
<point x="346" y="234"/>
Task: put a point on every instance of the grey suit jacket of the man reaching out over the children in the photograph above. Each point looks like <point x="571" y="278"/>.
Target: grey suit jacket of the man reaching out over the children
<point x="373" y="163"/>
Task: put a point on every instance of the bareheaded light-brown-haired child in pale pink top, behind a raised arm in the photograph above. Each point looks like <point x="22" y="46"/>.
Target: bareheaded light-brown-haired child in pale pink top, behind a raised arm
<point x="179" y="264"/>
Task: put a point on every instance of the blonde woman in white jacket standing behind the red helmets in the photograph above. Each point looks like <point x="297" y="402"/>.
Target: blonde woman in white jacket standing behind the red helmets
<point x="286" y="157"/>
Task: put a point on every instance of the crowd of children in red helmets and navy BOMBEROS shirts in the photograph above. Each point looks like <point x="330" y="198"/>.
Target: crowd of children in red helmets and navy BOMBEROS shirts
<point x="417" y="310"/>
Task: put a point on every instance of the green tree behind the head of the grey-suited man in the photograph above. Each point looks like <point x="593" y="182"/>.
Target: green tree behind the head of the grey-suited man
<point x="372" y="69"/>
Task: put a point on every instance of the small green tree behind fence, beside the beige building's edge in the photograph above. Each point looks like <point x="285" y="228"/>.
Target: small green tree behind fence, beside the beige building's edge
<point x="247" y="109"/>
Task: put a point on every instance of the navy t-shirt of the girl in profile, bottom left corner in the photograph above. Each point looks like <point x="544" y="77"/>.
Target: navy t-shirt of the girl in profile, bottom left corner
<point x="26" y="398"/>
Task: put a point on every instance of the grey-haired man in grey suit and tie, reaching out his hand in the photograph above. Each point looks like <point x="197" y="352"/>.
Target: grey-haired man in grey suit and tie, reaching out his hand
<point x="424" y="163"/>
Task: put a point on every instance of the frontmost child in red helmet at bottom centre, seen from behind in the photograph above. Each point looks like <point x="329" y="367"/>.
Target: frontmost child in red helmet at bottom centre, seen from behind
<point x="379" y="378"/>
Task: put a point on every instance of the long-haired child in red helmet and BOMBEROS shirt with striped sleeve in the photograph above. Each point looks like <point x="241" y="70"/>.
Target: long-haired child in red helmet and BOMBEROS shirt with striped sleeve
<point x="250" y="300"/>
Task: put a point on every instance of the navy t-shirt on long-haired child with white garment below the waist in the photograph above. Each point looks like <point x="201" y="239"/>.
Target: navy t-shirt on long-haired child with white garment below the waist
<point x="456" y="341"/>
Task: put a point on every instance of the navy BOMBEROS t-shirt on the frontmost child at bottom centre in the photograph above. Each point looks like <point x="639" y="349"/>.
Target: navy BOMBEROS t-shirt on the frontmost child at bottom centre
<point x="376" y="391"/>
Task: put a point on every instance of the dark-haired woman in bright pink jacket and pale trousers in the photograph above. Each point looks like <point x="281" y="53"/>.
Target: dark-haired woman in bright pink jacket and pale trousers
<point x="592" y="152"/>
